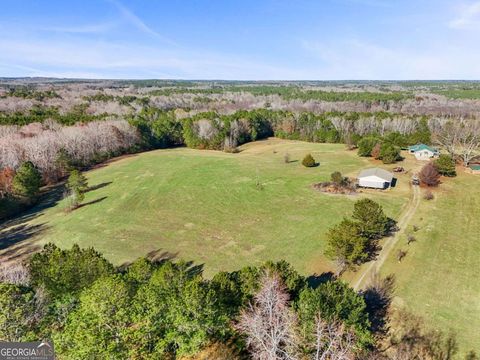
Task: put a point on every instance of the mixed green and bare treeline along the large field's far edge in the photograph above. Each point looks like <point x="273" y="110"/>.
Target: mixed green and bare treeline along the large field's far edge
<point x="210" y="130"/>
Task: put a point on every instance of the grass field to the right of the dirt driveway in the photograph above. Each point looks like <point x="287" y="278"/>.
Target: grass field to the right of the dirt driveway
<point x="439" y="277"/>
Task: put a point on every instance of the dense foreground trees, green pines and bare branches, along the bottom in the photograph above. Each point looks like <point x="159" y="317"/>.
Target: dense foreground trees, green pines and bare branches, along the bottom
<point x="158" y="308"/>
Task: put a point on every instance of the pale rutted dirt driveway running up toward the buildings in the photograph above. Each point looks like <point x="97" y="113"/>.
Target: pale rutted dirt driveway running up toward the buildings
<point x="374" y="266"/>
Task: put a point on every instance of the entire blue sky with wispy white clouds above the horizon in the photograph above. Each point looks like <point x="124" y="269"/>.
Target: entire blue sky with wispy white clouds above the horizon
<point x="241" y="40"/>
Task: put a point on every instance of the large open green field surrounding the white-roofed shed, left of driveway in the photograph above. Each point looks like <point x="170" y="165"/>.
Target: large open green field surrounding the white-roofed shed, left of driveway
<point x="205" y="206"/>
